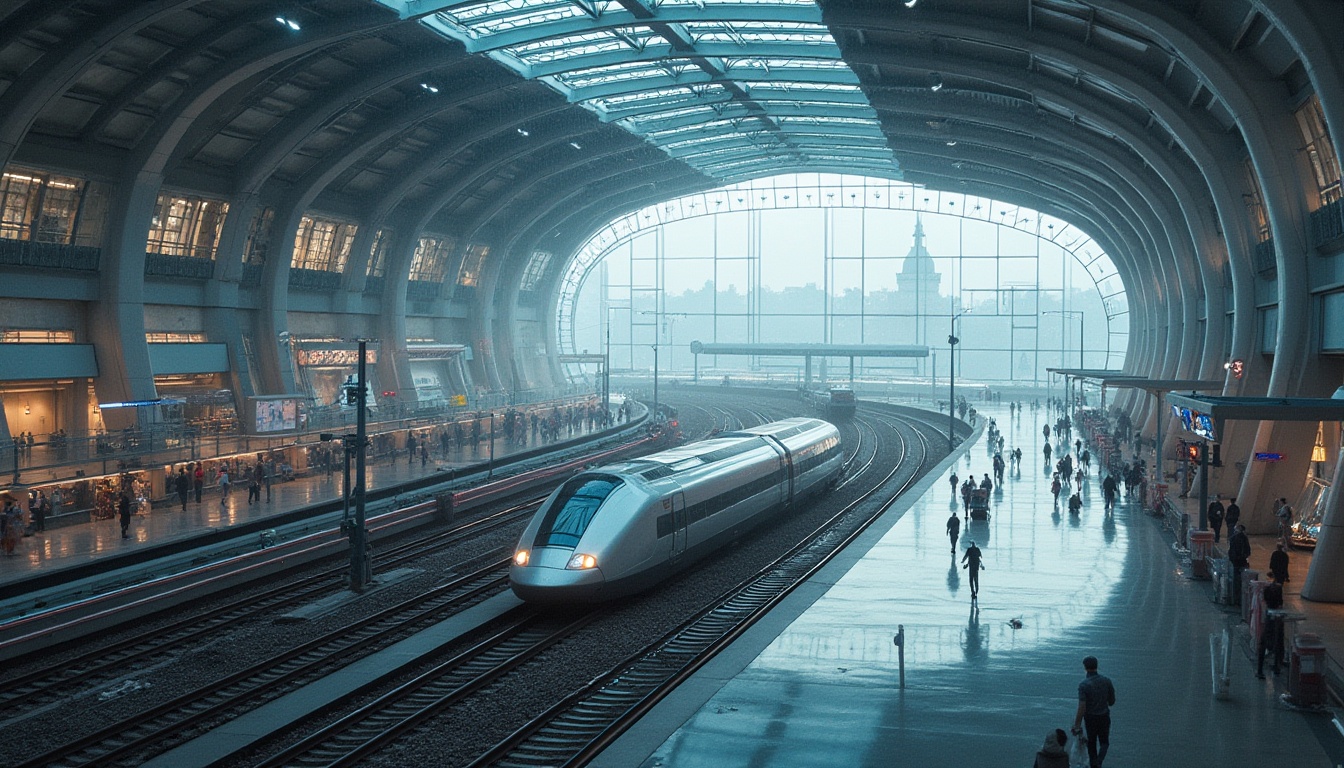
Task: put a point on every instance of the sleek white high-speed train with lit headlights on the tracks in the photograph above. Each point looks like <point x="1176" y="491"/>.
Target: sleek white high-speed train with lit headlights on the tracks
<point x="623" y="528"/>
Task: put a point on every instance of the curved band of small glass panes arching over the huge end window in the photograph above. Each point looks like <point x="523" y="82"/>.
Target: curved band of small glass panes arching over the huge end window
<point x="843" y="192"/>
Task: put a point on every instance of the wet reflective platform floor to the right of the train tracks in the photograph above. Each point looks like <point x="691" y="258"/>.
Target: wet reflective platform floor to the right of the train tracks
<point x="987" y="680"/>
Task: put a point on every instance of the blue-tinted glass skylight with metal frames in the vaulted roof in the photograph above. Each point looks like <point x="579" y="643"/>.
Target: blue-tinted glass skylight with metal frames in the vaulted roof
<point x="732" y="88"/>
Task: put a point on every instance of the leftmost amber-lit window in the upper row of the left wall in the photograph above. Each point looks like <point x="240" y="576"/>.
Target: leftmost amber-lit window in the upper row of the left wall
<point x="40" y="208"/>
